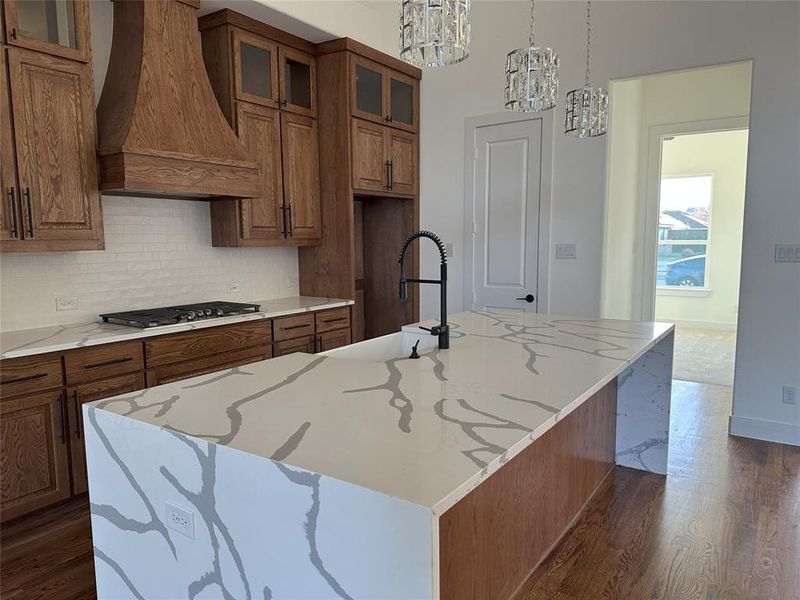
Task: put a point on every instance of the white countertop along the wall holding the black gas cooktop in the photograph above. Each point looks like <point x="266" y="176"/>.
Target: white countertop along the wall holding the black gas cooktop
<point x="27" y="342"/>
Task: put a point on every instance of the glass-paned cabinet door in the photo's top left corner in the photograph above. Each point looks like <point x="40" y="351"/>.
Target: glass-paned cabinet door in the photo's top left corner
<point x="59" y="27"/>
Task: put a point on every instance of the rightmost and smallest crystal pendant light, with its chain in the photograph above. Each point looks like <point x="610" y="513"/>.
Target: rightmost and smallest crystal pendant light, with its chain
<point x="586" y="107"/>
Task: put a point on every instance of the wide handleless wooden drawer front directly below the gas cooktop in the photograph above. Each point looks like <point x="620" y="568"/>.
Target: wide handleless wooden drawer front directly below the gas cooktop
<point x="207" y="342"/>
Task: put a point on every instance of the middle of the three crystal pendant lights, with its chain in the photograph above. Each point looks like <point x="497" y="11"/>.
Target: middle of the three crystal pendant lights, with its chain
<point x="531" y="75"/>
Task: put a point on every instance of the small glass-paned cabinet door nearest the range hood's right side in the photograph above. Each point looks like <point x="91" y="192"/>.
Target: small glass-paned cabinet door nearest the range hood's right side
<point x="255" y="68"/>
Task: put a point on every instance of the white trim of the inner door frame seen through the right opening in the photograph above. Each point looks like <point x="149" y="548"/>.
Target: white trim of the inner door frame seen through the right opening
<point x="648" y="228"/>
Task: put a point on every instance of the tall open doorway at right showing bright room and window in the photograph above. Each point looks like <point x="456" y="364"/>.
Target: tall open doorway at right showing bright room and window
<point x="675" y="210"/>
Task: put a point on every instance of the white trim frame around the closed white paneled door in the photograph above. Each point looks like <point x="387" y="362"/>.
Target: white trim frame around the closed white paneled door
<point x="472" y="124"/>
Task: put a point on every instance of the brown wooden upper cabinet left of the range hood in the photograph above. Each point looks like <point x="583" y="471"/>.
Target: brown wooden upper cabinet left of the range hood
<point x="48" y="166"/>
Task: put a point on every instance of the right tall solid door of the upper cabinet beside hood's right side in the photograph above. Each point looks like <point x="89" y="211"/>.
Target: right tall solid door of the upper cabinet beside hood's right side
<point x="301" y="176"/>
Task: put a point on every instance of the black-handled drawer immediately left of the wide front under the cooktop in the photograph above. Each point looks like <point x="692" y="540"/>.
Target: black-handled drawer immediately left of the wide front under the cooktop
<point x="99" y="362"/>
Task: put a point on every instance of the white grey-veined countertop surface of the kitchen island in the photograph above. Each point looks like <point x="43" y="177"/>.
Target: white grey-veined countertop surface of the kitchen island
<point x="426" y="431"/>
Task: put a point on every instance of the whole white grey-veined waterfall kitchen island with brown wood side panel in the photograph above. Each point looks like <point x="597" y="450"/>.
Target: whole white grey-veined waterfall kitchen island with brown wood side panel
<point x="336" y="476"/>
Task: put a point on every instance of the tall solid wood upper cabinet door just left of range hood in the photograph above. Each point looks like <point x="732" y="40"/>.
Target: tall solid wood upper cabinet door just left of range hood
<point x="55" y="141"/>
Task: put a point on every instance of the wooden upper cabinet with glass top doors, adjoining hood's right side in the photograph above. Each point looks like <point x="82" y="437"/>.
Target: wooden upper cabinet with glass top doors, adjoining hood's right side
<point x="265" y="81"/>
